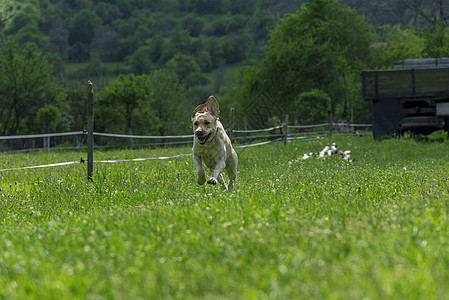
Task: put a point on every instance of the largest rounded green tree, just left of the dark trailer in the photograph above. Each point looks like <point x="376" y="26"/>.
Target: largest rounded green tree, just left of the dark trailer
<point x="320" y="47"/>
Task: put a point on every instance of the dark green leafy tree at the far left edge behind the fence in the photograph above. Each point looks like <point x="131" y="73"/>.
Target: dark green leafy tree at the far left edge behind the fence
<point x="26" y="84"/>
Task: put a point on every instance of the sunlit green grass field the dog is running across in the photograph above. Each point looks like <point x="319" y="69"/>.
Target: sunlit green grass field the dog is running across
<point x="316" y="229"/>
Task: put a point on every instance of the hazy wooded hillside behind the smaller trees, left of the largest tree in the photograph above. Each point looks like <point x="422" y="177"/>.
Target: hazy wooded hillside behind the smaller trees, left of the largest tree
<point x="194" y="41"/>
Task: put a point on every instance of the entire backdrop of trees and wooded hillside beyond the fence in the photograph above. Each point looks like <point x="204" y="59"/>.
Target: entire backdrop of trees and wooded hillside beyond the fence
<point x="152" y="61"/>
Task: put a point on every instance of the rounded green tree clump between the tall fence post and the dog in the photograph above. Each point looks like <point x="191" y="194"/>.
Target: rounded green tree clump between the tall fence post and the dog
<point x="143" y="104"/>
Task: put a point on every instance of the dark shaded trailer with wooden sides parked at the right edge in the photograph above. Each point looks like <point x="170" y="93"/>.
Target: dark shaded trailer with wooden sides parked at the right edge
<point x="413" y="96"/>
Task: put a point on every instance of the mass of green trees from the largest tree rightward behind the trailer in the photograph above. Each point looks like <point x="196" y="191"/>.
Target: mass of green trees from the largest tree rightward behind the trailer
<point x="316" y="55"/>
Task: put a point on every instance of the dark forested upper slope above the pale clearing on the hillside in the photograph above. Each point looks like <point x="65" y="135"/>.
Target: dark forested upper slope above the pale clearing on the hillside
<point x="147" y="34"/>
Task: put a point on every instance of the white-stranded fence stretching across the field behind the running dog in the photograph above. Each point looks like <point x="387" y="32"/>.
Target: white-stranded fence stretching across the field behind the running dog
<point x="77" y="139"/>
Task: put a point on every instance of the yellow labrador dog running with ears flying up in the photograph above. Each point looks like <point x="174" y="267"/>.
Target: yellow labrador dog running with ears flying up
<point x="212" y="145"/>
